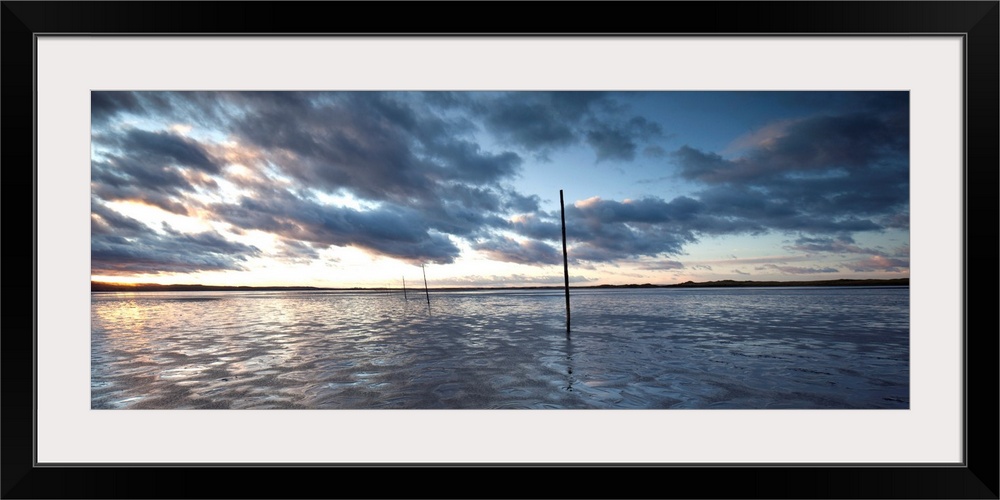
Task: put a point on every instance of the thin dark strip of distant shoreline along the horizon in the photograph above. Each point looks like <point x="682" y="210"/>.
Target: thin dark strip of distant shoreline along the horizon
<point x="96" y="286"/>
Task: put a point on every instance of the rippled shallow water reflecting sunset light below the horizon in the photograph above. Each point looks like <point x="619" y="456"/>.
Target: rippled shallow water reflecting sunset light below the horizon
<point x="744" y="348"/>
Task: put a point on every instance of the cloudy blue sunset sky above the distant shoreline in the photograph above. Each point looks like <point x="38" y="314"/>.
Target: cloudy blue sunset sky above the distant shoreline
<point x="361" y="188"/>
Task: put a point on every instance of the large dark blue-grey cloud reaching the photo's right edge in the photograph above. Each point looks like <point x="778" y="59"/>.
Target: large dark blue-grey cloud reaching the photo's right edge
<point x="823" y="174"/>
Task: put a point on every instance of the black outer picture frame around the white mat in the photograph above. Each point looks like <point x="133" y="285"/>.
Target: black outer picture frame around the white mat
<point x="977" y="22"/>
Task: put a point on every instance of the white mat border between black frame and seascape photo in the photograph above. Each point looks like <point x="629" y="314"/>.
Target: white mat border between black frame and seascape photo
<point x="929" y="432"/>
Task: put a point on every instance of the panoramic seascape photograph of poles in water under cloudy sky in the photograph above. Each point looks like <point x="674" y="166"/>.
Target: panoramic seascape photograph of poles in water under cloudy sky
<point x="489" y="250"/>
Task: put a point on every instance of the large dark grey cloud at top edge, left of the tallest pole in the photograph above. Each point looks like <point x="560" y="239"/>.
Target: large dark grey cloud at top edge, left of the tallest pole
<point x="387" y="147"/>
